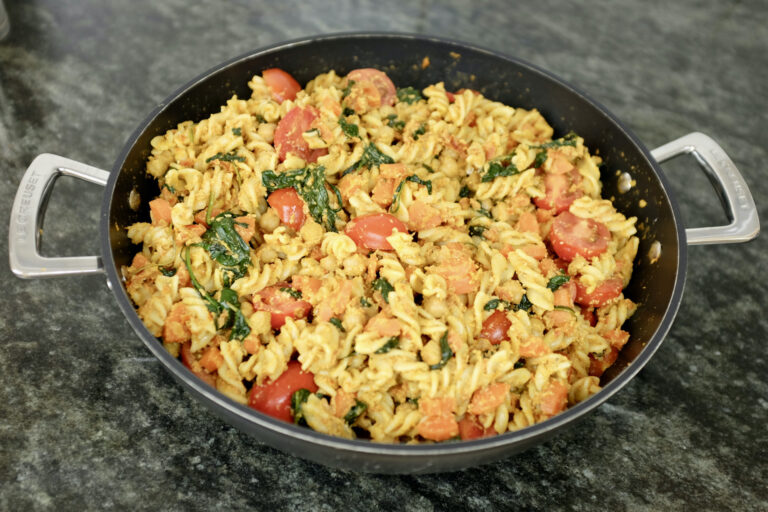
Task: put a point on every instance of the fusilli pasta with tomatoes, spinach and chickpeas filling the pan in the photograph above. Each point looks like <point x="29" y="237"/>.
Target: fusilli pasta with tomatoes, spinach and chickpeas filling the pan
<point x="394" y="264"/>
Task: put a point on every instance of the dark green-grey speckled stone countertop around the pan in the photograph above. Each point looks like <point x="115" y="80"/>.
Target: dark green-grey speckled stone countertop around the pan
<point x="88" y="420"/>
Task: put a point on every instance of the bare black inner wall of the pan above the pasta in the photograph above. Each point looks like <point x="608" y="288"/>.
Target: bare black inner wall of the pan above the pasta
<point x="656" y="285"/>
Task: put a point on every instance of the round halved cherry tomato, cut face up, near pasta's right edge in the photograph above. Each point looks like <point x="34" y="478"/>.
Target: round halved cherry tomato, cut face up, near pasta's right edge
<point x="571" y="235"/>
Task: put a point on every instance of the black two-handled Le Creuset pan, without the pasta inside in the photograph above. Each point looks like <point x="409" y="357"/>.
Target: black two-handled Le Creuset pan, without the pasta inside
<point x="657" y="282"/>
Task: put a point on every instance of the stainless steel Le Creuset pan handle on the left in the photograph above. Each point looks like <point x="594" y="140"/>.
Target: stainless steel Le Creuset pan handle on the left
<point x="27" y="214"/>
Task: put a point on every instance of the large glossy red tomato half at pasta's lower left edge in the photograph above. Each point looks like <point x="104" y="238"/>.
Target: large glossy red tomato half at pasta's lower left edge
<point x="274" y="398"/>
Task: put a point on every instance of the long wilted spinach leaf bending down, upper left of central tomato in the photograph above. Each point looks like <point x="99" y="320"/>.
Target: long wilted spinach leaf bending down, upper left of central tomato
<point x="310" y="183"/>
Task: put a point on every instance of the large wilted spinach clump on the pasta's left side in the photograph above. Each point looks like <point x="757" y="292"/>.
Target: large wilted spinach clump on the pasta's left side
<point x="226" y="247"/>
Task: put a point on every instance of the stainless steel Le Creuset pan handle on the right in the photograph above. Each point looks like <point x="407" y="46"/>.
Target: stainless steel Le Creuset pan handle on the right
<point x="730" y="186"/>
